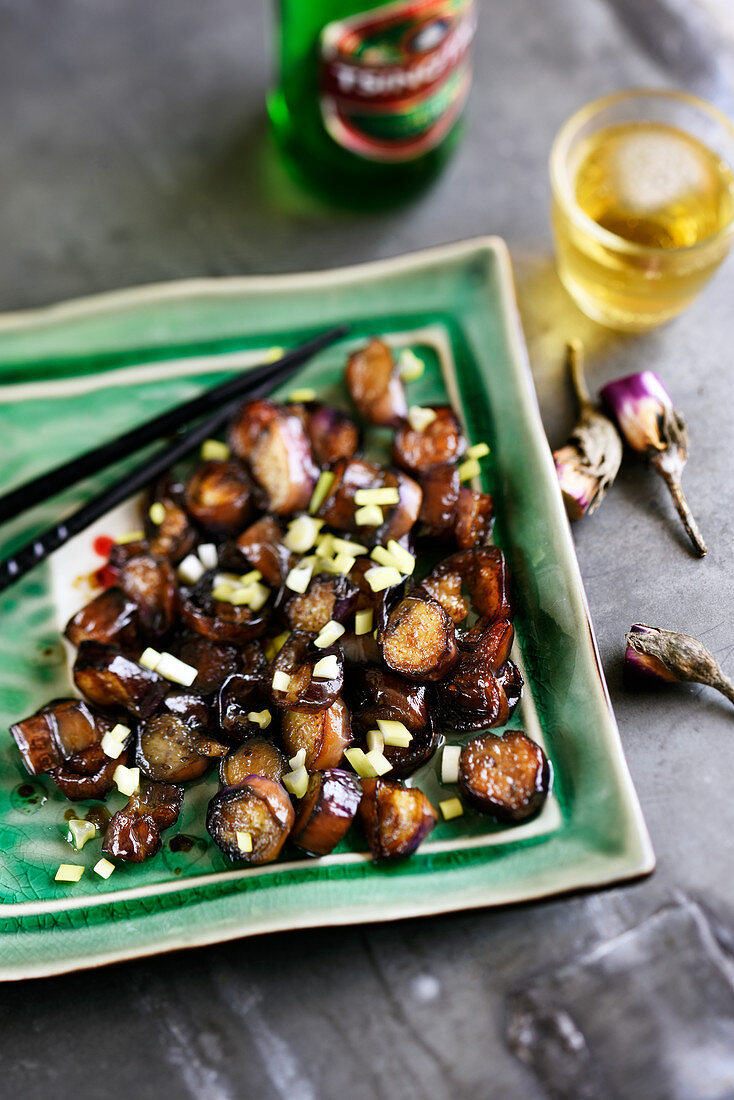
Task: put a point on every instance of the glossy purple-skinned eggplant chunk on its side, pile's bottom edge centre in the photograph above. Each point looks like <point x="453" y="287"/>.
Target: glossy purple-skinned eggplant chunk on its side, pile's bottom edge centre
<point x="326" y="811"/>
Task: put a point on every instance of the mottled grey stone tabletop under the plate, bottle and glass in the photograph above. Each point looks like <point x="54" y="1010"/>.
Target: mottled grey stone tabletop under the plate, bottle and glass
<point x="134" y="150"/>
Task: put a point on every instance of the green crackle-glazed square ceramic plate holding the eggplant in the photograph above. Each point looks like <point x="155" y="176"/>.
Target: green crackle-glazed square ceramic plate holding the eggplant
<point x="75" y="375"/>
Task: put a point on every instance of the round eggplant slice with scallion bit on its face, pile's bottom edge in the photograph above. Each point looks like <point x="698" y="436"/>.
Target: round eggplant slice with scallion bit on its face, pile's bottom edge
<point x="258" y="807"/>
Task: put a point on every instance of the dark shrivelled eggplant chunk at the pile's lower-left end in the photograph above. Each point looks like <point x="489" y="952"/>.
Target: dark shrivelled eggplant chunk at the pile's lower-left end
<point x="135" y="833"/>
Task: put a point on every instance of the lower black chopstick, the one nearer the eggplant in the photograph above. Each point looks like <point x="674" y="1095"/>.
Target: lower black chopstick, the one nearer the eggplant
<point x="36" y="552"/>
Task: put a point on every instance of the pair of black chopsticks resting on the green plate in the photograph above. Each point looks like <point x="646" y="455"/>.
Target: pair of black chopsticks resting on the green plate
<point x="224" y="400"/>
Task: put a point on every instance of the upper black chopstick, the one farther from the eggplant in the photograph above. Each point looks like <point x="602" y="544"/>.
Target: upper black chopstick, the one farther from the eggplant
<point x="53" y="481"/>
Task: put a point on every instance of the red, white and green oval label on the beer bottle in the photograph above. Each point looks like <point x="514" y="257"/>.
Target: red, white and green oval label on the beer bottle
<point x="395" y="80"/>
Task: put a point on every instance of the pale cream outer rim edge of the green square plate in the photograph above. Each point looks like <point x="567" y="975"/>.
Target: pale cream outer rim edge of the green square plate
<point x="638" y="859"/>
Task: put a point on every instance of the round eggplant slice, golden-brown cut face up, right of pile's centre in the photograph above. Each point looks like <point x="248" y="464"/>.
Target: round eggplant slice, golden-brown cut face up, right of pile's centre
<point x="419" y="641"/>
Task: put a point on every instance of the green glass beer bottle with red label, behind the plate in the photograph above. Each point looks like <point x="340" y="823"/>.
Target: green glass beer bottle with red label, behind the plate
<point x="370" y="95"/>
